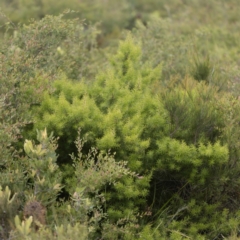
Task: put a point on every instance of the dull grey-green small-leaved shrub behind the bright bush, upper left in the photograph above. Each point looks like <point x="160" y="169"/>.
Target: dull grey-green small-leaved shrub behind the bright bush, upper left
<point x="32" y="59"/>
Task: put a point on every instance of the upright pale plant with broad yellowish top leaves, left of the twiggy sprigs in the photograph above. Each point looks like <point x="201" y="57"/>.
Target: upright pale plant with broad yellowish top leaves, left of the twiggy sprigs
<point x="40" y="159"/>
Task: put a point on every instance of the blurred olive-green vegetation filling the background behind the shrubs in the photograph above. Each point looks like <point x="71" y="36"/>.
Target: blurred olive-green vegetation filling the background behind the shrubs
<point x="181" y="34"/>
